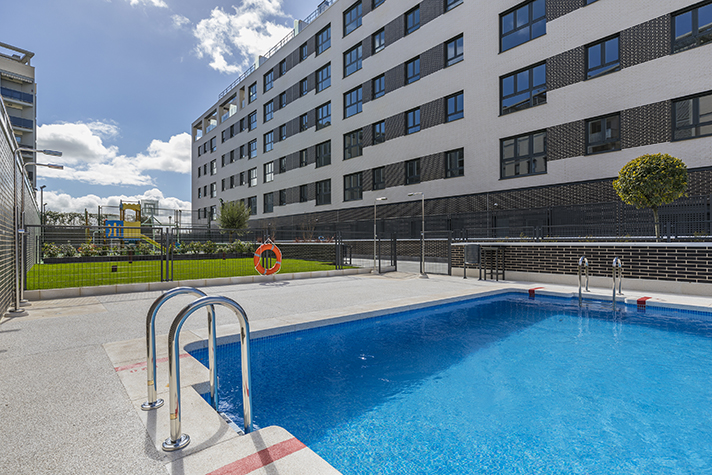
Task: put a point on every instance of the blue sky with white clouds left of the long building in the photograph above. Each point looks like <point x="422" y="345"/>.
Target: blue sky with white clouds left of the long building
<point x="119" y="83"/>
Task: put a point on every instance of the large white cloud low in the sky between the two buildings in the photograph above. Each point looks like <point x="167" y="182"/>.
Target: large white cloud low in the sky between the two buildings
<point x="86" y="158"/>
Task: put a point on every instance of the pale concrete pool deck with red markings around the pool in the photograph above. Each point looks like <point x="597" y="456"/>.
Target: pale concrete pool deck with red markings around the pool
<point x="73" y="375"/>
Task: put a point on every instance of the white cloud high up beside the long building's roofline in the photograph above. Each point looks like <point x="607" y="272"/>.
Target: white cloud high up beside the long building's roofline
<point x="248" y="32"/>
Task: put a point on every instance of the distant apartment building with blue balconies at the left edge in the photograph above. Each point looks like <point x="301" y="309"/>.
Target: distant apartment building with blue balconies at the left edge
<point x="18" y="90"/>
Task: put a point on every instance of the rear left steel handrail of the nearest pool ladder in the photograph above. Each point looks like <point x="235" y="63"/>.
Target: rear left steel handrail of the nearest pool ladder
<point x="153" y="402"/>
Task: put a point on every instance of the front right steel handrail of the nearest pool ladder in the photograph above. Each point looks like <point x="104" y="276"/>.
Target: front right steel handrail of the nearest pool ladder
<point x="177" y="440"/>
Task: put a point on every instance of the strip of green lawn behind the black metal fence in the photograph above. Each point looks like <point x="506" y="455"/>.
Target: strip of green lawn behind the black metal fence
<point x="87" y="274"/>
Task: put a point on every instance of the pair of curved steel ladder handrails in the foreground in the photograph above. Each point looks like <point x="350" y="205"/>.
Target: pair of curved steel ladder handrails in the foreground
<point x="177" y="440"/>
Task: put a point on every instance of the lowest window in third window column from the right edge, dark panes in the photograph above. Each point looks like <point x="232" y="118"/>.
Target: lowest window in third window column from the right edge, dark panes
<point x="523" y="155"/>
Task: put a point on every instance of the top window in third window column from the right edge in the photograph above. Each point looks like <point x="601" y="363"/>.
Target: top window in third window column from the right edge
<point x="522" y="24"/>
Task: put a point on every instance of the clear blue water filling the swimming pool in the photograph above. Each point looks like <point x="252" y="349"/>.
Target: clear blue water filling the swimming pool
<point x="494" y="385"/>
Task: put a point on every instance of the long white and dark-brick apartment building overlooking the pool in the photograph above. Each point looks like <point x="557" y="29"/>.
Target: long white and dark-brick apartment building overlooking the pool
<point x="477" y="105"/>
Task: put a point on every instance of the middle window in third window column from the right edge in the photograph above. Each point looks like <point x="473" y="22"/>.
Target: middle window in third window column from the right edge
<point x="524" y="89"/>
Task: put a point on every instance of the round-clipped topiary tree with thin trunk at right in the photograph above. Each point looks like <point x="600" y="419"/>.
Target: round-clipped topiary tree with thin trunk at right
<point x="650" y="181"/>
